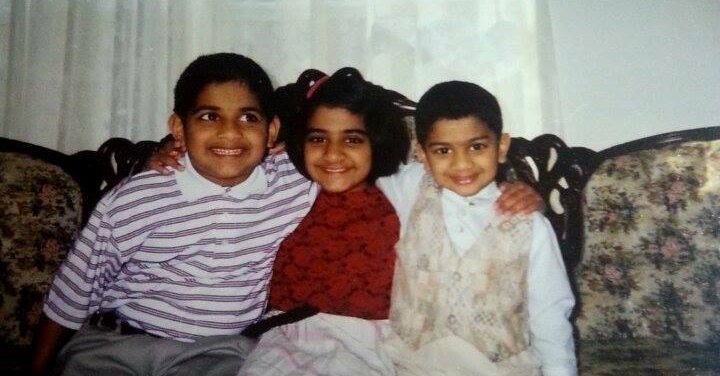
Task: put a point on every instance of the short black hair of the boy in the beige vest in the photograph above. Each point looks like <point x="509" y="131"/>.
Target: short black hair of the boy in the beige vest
<point x="454" y="100"/>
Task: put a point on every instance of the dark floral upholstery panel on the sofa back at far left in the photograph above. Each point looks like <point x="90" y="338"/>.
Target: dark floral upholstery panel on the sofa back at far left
<point x="39" y="214"/>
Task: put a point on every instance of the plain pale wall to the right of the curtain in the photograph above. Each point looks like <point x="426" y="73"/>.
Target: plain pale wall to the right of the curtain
<point x="633" y="68"/>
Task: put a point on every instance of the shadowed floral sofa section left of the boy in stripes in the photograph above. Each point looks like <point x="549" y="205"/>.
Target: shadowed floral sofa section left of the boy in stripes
<point x="45" y="196"/>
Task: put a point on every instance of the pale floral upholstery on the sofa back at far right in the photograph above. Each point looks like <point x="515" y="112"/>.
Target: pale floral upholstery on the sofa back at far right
<point x="651" y="260"/>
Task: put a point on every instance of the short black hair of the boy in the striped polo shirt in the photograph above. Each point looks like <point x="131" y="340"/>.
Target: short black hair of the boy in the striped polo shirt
<point x="217" y="69"/>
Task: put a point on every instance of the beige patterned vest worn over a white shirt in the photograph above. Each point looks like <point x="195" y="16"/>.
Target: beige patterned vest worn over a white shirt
<point x="480" y="297"/>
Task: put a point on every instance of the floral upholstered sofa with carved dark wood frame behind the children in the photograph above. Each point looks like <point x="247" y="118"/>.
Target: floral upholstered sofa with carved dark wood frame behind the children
<point x="638" y="225"/>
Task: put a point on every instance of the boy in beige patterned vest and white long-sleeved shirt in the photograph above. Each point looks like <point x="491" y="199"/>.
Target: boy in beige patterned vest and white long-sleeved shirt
<point x="474" y="292"/>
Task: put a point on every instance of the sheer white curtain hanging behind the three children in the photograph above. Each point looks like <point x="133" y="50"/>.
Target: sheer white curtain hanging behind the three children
<point x="74" y="73"/>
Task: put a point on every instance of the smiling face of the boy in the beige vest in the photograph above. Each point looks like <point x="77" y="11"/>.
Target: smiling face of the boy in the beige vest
<point x="462" y="154"/>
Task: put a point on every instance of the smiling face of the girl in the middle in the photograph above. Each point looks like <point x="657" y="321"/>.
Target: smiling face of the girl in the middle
<point x="337" y="150"/>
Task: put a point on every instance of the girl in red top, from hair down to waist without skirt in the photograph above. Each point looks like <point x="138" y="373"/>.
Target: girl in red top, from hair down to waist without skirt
<point x="340" y="259"/>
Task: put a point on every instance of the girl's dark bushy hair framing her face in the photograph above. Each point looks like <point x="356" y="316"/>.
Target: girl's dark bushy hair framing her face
<point x="346" y="88"/>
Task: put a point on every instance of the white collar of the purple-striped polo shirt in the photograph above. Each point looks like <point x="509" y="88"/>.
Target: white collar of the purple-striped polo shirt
<point x="194" y="186"/>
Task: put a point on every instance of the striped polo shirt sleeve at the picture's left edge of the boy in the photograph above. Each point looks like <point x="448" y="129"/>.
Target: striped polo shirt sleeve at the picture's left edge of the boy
<point x="93" y="261"/>
